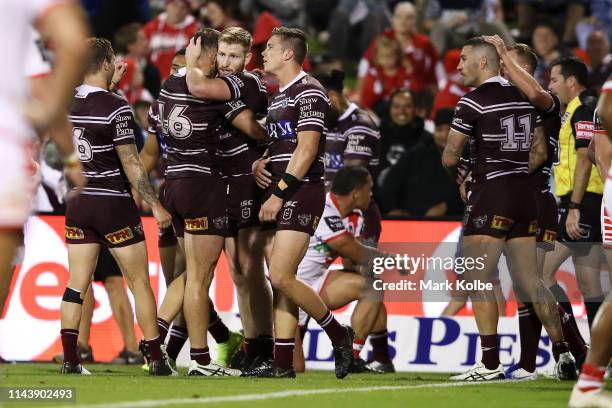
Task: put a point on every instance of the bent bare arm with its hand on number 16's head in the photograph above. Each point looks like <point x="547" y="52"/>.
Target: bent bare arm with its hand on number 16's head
<point x="198" y="82"/>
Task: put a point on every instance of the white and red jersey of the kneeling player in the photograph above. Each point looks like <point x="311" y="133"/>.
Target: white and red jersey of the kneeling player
<point x="319" y="255"/>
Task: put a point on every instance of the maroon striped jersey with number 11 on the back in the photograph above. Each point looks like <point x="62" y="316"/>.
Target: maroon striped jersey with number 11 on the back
<point x="499" y="122"/>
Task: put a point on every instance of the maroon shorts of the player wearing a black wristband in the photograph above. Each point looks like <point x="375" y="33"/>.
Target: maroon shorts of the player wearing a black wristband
<point x="301" y="211"/>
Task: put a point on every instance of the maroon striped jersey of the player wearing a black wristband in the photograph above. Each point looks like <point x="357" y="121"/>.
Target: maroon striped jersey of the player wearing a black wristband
<point x="302" y="105"/>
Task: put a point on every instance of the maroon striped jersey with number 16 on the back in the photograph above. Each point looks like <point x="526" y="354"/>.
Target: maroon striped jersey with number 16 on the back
<point x="192" y="125"/>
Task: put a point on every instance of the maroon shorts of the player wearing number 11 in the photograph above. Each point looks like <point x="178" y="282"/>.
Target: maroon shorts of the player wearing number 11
<point x="505" y="207"/>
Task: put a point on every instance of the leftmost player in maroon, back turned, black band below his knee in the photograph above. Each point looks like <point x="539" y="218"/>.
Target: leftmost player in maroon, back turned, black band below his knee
<point x="103" y="128"/>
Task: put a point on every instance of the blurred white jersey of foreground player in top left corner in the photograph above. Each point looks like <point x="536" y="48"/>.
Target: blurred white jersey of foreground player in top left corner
<point x="16" y="19"/>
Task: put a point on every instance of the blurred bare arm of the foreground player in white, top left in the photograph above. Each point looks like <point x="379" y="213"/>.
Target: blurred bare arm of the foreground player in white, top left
<point x="66" y="28"/>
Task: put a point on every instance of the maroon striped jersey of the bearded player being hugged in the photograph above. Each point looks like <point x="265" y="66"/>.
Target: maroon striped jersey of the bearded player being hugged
<point x="238" y="151"/>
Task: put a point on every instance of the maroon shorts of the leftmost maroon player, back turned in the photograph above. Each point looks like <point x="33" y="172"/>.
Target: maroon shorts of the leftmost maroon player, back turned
<point x="110" y="220"/>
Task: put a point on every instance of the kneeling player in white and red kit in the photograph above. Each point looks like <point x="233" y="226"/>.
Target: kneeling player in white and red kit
<point x="337" y="235"/>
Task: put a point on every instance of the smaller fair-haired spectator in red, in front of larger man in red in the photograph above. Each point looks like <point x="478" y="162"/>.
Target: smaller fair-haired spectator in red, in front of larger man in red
<point x="385" y="76"/>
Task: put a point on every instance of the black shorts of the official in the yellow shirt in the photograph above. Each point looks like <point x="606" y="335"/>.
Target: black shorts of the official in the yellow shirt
<point x="590" y="218"/>
